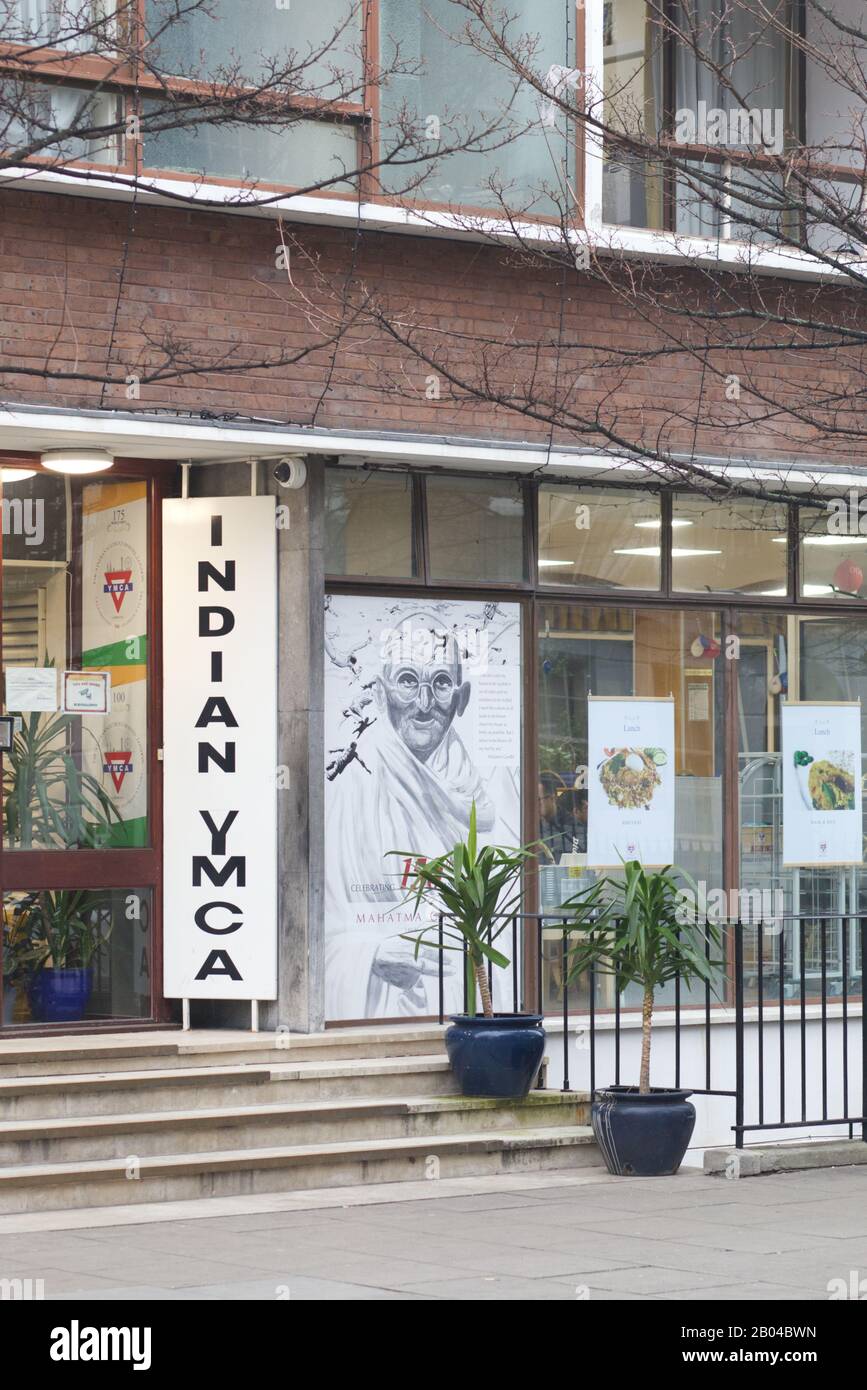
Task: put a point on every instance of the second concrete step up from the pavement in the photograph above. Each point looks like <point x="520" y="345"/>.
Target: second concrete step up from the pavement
<point x="256" y="1127"/>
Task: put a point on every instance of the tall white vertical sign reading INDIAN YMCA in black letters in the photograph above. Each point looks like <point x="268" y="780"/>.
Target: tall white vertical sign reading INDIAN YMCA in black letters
<point x="220" y="749"/>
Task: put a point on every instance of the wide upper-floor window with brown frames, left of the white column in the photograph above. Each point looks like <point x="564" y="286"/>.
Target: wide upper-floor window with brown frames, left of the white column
<point x="404" y="99"/>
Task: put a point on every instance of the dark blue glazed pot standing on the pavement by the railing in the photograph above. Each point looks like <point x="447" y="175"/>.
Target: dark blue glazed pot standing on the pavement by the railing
<point x="643" y="1136"/>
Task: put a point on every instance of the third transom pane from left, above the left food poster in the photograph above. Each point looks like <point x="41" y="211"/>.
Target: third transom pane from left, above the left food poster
<point x="600" y="539"/>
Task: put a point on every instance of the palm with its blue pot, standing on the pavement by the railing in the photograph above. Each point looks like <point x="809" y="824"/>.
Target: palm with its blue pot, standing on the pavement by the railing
<point x="644" y="938"/>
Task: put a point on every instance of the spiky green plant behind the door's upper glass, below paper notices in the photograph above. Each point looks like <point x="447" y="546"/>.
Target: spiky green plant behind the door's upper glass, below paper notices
<point x="48" y="801"/>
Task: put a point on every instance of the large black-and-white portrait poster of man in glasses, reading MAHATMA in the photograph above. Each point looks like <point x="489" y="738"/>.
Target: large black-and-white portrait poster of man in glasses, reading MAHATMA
<point x="423" y="717"/>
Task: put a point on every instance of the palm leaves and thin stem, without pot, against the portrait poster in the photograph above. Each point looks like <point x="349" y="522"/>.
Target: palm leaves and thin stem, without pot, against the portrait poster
<point x="476" y="890"/>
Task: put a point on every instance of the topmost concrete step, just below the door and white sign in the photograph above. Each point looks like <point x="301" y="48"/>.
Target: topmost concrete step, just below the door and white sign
<point x="163" y="1050"/>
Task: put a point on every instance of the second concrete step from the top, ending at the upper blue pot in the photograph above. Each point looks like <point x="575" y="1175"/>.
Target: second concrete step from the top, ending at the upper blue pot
<point x="195" y="1088"/>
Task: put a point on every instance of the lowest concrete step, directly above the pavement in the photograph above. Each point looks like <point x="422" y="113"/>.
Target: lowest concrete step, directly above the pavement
<point x="292" y="1168"/>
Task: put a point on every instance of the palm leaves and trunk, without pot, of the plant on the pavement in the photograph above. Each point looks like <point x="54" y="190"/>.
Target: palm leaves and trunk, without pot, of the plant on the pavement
<point x="641" y="938"/>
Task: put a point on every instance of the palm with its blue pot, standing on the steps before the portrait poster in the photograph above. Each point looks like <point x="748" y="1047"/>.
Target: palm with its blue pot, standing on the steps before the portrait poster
<point x="473" y="892"/>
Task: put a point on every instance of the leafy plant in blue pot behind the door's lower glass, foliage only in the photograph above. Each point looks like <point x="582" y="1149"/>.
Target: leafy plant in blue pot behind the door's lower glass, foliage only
<point x="63" y="929"/>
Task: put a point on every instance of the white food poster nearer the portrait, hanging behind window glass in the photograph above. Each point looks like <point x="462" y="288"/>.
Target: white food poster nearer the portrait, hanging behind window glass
<point x="630" y="782"/>
